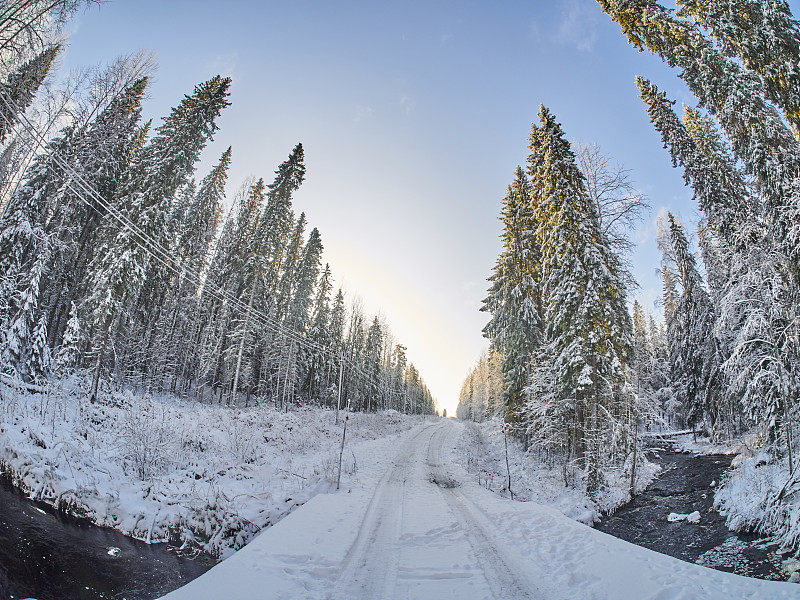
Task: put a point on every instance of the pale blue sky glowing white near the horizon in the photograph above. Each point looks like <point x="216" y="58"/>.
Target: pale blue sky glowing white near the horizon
<point x="413" y="116"/>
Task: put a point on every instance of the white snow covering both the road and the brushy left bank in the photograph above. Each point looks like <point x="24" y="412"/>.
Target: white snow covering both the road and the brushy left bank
<point x="410" y="521"/>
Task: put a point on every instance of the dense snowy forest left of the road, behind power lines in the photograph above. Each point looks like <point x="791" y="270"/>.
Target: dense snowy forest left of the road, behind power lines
<point x="119" y="262"/>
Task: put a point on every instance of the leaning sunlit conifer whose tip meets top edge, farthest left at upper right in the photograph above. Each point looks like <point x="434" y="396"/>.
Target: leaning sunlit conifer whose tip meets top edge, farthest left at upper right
<point x="736" y="97"/>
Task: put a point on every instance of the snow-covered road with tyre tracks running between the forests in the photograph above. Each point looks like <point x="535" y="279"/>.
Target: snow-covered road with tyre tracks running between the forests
<point x="413" y="524"/>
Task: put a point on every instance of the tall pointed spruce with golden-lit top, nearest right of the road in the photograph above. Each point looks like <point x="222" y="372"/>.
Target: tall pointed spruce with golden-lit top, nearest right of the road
<point x="588" y="325"/>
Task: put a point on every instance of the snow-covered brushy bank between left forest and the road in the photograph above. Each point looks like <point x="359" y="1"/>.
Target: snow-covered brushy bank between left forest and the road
<point x="159" y="468"/>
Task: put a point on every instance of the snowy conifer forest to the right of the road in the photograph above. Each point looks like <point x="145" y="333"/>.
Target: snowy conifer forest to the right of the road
<point x="580" y="371"/>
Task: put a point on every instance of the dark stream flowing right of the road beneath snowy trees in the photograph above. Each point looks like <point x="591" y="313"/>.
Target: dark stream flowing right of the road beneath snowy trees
<point x="686" y="486"/>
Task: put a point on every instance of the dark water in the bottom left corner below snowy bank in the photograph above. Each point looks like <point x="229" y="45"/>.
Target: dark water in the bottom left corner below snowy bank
<point x="49" y="557"/>
